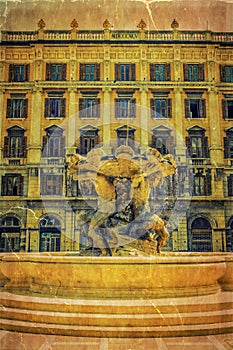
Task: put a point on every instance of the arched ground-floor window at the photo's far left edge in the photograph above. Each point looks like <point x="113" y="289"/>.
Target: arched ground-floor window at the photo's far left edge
<point x="10" y="234"/>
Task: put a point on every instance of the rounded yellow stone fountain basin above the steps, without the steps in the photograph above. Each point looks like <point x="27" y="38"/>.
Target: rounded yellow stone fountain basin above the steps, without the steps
<point x="66" y="274"/>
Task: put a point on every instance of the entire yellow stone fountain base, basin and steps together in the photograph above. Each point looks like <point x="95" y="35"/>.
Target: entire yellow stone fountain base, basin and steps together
<point x="172" y="294"/>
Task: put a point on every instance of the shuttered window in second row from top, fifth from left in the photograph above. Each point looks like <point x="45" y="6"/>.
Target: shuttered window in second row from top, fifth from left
<point x="161" y="108"/>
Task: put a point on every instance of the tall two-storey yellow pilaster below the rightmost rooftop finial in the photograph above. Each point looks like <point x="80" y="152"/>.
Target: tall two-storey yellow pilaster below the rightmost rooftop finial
<point x="178" y="114"/>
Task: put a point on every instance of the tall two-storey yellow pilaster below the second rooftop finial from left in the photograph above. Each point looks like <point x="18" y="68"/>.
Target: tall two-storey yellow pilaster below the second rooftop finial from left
<point x="71" y="122"/>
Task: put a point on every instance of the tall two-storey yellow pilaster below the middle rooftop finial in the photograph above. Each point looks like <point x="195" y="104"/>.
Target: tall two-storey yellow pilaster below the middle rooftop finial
<point x="107" y="120"/>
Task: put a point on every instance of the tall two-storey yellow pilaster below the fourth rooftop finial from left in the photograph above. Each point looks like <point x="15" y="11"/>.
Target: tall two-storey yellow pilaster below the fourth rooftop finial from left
<point x="144" y="115"/>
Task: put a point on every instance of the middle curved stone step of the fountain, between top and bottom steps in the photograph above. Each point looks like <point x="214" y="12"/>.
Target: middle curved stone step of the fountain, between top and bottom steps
<point x="113" y="320"/>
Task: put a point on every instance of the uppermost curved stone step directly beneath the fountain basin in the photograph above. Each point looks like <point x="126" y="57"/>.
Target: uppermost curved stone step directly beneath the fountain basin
<point x="215" y="302"/>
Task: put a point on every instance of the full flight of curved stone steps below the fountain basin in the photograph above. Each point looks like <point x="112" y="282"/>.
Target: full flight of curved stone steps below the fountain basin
<point x="151" y="317"/>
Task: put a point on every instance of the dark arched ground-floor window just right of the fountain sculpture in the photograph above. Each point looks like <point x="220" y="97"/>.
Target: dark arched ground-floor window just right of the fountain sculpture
<point x="201" y="236"/>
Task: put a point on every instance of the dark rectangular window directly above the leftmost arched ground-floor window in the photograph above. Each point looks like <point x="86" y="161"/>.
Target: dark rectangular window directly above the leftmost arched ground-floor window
<point x="12" y="185"/>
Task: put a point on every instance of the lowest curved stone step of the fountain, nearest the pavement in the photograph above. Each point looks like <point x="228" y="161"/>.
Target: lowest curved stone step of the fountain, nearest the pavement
<point x="134" y="332"/>
